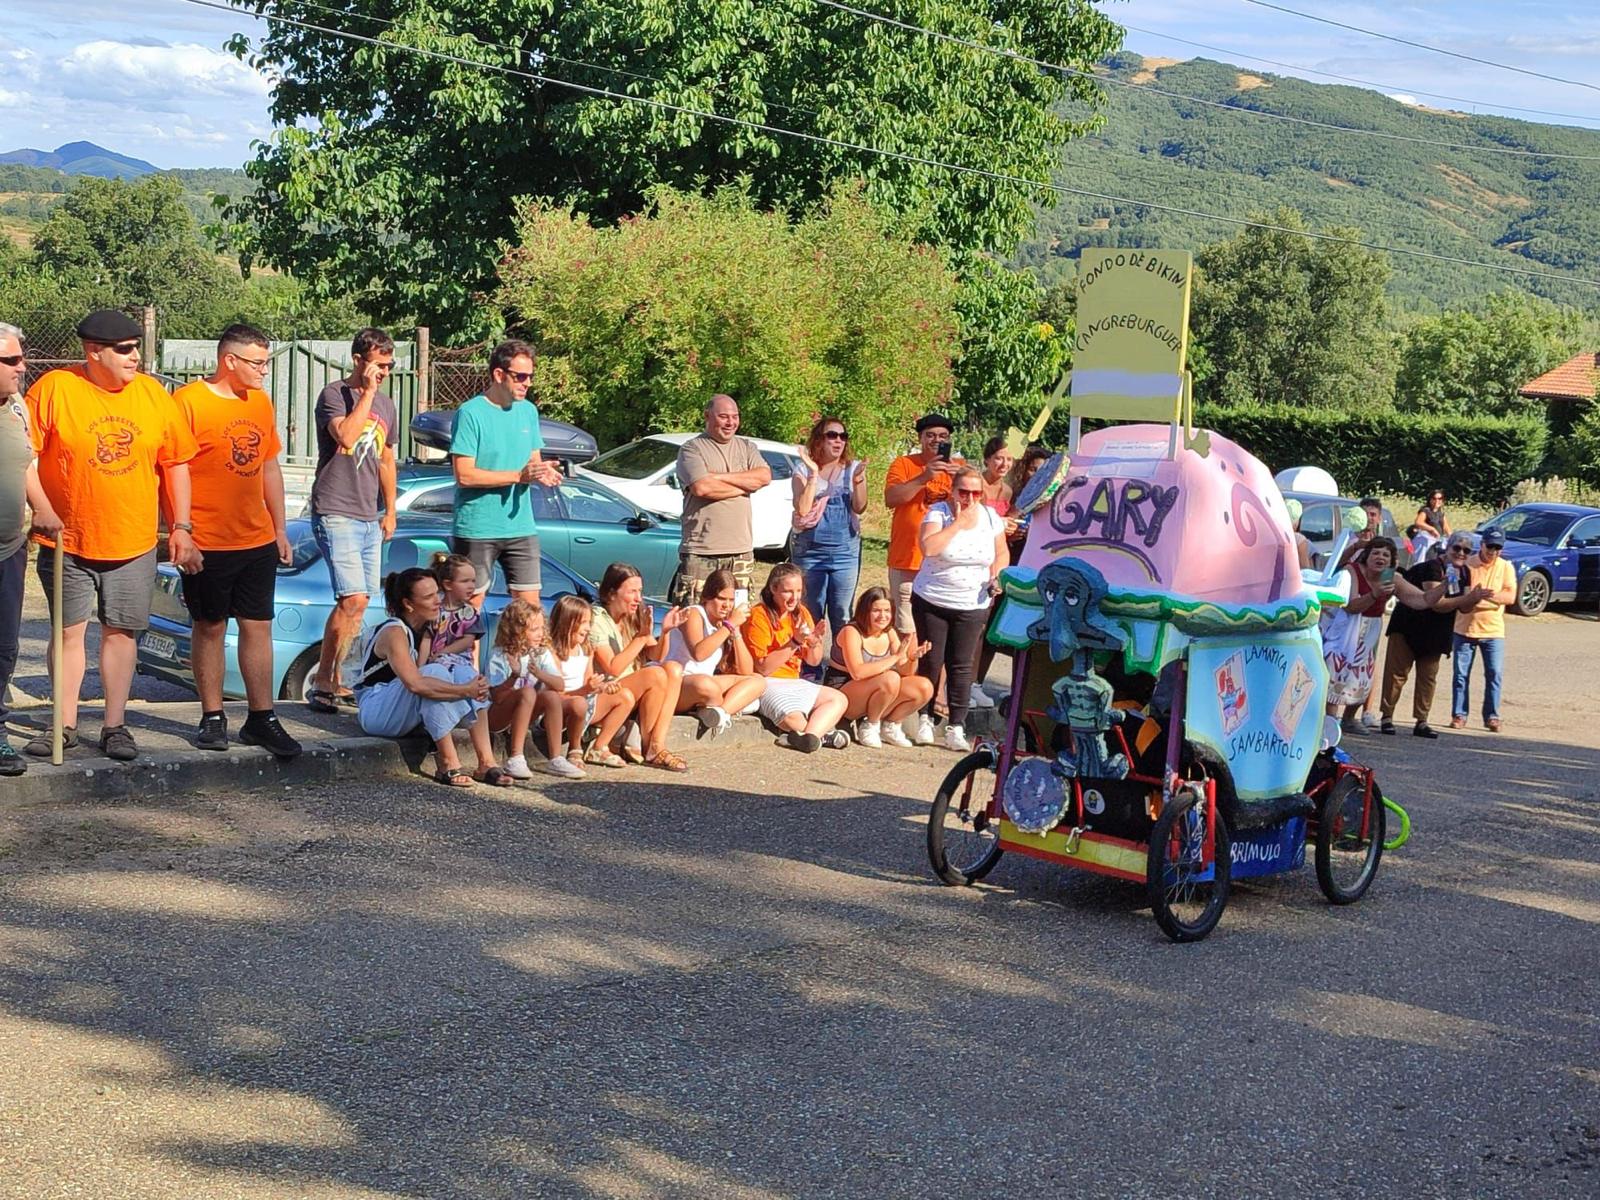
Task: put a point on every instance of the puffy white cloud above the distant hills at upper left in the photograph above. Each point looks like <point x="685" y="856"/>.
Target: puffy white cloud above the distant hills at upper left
<point x="156" y="73"/>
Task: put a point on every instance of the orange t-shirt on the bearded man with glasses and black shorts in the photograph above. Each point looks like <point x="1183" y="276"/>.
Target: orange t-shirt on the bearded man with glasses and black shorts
<point x="238" y="438"/>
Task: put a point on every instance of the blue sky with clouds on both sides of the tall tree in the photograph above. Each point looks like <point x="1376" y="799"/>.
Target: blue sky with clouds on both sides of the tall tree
<point x="150" y="78"/>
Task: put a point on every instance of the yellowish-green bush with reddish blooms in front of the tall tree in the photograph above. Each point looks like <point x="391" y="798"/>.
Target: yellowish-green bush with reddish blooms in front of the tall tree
<point x="642" y="321"/>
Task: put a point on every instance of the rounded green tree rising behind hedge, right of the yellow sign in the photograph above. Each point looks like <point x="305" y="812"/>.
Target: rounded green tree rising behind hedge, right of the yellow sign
<point x="1290" y="319"/>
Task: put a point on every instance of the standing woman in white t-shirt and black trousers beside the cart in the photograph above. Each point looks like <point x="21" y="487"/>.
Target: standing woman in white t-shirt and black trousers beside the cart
<point x="964" y="553"/>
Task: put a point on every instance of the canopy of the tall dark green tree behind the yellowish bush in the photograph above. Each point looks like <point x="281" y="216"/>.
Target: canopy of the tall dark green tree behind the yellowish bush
<point x="394" y="177"/>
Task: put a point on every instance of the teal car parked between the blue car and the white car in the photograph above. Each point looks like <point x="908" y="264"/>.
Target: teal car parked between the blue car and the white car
<point x="583" y="524"/>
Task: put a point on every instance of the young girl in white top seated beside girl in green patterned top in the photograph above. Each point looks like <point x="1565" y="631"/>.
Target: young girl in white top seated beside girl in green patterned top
<point x="572" y="695"/>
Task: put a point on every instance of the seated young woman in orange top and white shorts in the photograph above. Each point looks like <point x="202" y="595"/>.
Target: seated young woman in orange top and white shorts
<point x="782" y="636"/>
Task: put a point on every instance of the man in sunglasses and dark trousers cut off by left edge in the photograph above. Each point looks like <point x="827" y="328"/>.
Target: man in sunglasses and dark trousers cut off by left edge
<point x="18" y="489"/>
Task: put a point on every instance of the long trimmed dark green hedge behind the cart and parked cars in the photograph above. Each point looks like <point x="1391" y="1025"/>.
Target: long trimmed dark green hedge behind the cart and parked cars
<point x="1474" y="458"/>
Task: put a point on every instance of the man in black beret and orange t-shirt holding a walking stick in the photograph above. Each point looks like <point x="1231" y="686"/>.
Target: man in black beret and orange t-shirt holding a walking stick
<point x="102" y="433"/>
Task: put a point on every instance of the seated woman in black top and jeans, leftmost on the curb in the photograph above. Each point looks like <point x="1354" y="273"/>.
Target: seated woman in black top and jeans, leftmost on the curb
<point x="394" y="695"/>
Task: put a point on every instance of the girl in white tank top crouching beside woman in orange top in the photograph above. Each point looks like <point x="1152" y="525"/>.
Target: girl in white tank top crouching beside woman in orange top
<point x="719" y="674"/>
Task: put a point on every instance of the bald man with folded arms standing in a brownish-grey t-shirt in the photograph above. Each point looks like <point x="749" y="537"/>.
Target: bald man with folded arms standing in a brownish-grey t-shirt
<point x="718" y="471"/>
